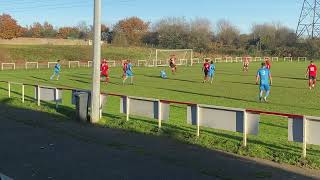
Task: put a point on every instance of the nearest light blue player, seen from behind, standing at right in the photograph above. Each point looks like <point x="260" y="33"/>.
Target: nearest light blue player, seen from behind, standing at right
<point x="265" y="78"/>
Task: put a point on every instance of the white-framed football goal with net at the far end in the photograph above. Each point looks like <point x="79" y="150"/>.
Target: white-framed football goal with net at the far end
<point x="183" y="57"/>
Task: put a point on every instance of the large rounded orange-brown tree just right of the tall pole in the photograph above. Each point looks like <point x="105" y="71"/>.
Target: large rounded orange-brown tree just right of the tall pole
<point x="130" y="31"/>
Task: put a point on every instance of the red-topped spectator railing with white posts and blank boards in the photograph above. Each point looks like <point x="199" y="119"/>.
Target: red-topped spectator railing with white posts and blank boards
<point x="302" y="129"/>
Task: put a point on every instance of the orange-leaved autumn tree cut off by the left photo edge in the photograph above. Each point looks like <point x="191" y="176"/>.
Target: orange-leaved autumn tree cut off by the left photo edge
<point x="9" y="28"/>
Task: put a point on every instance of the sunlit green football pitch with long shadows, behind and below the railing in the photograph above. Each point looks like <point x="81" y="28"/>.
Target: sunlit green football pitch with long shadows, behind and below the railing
<point x="231" y="88"/>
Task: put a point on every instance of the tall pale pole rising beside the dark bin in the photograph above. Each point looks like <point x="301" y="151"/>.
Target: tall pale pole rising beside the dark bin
<point x="95" y="94"/>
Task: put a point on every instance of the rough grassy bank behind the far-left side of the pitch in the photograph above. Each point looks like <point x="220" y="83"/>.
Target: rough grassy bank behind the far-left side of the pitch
<point x="39" y="53"/>
